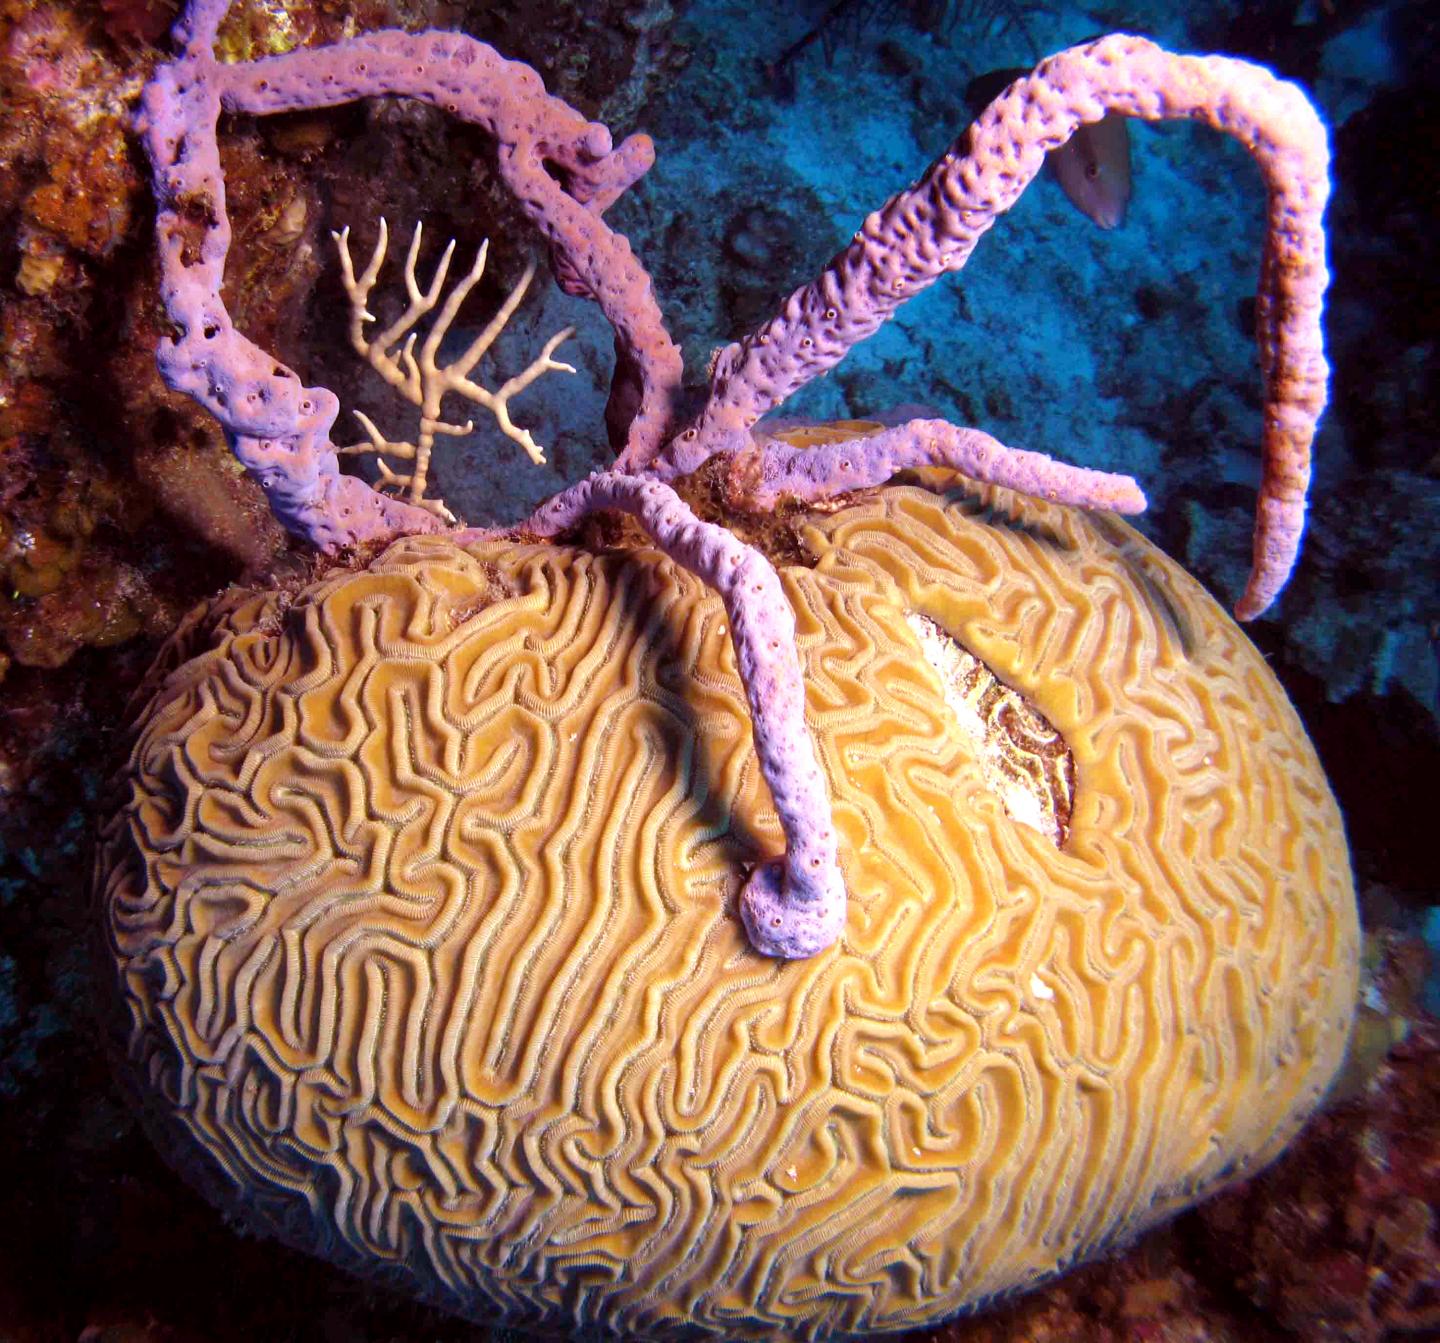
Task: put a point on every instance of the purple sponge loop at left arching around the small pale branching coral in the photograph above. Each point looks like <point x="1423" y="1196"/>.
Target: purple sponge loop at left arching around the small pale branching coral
<point x="564" y="169"/>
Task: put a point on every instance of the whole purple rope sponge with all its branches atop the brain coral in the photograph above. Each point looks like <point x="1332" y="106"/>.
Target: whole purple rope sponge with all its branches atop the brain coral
<point x="565" y="173"/>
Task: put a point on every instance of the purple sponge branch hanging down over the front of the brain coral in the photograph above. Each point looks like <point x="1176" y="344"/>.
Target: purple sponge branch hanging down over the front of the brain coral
<point x="794" y="908"/>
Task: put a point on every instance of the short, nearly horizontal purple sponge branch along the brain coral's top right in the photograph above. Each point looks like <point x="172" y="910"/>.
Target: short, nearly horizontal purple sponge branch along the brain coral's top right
<point x="816" y="473"/>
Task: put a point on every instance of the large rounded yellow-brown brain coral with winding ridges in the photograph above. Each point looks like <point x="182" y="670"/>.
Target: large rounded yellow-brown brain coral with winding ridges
<point x="423" y="908"/>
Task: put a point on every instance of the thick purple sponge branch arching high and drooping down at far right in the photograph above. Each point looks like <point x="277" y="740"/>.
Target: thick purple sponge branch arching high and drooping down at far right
<point x="931" y="230"/>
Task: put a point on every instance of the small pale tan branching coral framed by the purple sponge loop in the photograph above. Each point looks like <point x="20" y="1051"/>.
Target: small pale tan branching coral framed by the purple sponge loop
<point x="420" y="379"/>
